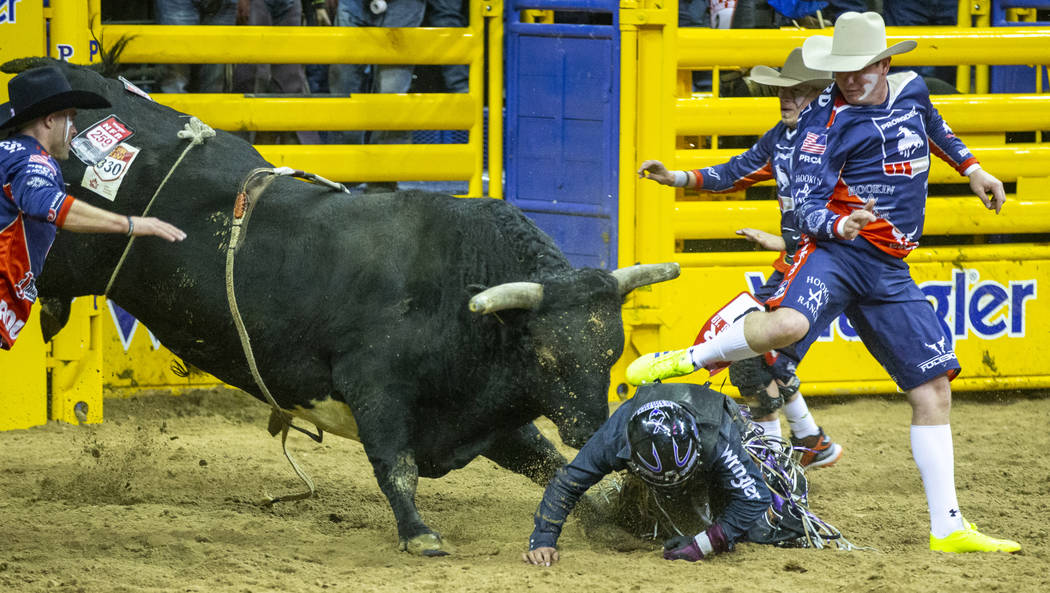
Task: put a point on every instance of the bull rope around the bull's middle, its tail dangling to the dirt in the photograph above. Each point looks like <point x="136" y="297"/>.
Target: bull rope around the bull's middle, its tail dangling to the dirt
<point x="251" y="192"/>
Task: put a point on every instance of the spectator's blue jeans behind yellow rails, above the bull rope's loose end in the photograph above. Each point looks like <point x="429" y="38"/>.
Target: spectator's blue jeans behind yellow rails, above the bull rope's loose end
<point x="348" y="79"/>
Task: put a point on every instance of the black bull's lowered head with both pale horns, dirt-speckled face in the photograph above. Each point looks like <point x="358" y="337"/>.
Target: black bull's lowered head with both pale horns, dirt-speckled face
<point x="576" y="335"/>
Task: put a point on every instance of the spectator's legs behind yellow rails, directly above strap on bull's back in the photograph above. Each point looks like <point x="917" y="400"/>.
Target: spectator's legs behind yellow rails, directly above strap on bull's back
<point x="282" y="79"/>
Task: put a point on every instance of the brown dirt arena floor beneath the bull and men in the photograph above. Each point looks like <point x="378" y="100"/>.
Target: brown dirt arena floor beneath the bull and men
<point x="161" y="498"/>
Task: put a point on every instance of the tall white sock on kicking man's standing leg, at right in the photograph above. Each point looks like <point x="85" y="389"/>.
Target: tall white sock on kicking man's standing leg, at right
<point x="934" y="454"/>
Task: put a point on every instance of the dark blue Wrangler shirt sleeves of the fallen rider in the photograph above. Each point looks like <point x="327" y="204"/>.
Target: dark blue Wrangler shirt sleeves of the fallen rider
<point x="607" y="451"/>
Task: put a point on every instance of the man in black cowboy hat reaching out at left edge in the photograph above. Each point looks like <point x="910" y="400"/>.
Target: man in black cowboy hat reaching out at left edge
<point x="39" y="118"/>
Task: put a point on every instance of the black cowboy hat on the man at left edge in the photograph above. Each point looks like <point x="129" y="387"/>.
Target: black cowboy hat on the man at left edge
<point x="37" y="93"/>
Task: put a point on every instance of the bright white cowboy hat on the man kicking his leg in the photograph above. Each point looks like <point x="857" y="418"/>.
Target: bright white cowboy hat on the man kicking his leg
<point x="859" y="40"/>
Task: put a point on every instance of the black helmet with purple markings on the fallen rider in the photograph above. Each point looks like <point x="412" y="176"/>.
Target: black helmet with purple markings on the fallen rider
<point x="665" y="444"/>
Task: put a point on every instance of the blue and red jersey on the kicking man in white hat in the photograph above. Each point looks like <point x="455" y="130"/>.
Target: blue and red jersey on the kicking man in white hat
<point x="847" y="155"/>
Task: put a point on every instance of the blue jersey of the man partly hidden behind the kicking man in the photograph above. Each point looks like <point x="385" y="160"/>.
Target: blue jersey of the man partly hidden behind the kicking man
<point x="768" y="159"/>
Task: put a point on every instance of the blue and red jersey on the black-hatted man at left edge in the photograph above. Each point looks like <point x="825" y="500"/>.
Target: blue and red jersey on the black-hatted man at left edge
<point x="34" y="204"/>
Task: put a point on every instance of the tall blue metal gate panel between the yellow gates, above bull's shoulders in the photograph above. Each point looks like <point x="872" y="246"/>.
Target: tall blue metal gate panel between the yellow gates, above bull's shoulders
<point x="563" y="131"/>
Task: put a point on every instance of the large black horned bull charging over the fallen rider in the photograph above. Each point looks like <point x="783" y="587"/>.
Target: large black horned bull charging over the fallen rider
<point x="358" y="308"/>
